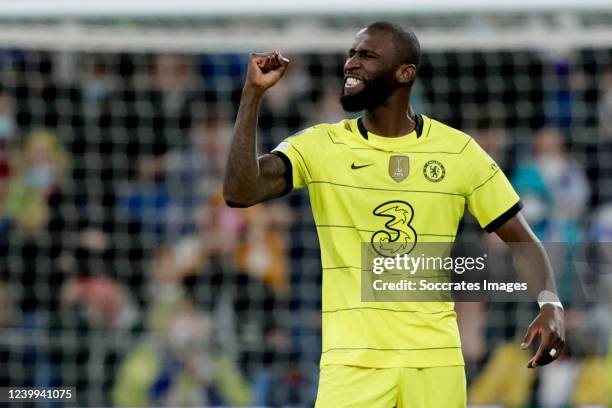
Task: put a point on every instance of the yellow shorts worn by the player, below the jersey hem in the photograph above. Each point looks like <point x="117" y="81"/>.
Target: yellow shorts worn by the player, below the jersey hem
<point x="348" y="386"/>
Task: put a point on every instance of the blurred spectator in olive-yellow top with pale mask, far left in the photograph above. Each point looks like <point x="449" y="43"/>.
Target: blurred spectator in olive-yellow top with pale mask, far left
<point x="42" y="165"/>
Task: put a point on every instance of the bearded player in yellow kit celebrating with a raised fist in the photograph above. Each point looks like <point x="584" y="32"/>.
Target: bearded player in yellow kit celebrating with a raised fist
<point x="390" y="175"/>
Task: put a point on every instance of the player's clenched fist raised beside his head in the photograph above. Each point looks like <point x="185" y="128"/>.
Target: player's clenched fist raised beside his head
<point x="265" y="69"/>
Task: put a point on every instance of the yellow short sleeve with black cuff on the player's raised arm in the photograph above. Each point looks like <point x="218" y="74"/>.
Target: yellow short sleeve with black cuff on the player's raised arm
<point x="296" y="153"/>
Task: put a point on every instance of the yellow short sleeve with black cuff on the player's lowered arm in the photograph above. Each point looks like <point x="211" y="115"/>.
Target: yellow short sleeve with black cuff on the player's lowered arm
<point x="490" y="198"/>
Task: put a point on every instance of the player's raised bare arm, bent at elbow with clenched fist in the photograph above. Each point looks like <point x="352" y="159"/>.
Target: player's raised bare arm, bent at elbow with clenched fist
<point x="249" y="179"/>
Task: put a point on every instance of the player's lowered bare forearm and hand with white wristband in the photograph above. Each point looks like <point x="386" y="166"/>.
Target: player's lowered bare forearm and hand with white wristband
<point x="532" y="263"/>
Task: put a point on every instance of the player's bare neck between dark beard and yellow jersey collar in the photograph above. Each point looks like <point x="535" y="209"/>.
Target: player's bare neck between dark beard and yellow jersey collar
<point x="393" y="118"/>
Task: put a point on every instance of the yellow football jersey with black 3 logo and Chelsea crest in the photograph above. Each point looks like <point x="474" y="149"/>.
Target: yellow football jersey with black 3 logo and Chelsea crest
<point x="355" y="179"/>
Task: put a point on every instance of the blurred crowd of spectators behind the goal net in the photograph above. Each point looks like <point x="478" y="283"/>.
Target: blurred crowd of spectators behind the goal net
<point x="123" y="273"/>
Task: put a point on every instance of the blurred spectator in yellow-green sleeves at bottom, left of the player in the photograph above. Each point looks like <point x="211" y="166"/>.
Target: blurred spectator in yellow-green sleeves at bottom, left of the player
<point x="177" y="367"/>
